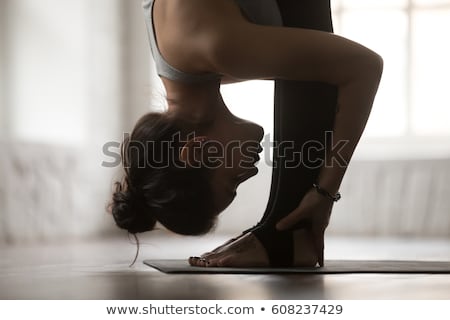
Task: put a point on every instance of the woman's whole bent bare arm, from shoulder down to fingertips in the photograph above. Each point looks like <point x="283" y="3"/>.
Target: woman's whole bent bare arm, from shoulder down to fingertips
<point x="307" y="55"/>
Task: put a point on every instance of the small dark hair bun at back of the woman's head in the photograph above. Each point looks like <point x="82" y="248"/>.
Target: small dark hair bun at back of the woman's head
<point x="130" y="211"/>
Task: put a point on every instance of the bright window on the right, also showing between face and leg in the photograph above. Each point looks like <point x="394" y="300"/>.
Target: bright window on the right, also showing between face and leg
<point x="411" y="113"/>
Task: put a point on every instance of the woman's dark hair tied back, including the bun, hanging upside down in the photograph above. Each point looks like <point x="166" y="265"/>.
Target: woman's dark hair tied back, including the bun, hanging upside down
<point x="157" y="186"/>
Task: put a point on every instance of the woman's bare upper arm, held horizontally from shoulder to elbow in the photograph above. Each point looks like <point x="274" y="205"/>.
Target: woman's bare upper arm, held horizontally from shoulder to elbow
<point x="249" y="51"/>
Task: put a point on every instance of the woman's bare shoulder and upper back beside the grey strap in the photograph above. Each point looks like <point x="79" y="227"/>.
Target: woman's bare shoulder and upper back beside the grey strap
<point x="201" y="29"/>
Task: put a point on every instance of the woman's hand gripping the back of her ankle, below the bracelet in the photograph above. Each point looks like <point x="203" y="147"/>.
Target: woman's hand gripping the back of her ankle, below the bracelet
<point x="314" y="210"/>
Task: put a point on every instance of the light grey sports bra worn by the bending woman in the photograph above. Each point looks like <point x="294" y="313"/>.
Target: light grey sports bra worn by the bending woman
<point x="264" y="12"/>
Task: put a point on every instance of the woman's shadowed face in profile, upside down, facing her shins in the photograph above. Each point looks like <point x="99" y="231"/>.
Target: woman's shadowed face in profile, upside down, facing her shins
<point x="231" y="151"/>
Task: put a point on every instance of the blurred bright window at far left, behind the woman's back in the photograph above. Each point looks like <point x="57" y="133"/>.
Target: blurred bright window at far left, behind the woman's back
<point x="45" y="70"/>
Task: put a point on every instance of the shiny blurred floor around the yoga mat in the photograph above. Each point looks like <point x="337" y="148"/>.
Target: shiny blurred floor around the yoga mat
<point x="99" y="270"/>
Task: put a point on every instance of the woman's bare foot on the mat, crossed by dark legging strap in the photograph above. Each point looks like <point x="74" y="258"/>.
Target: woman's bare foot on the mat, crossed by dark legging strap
<point x="247" y="251"/>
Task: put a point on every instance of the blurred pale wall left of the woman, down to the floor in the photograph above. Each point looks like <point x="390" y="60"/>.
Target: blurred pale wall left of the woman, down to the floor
<point x="74" y="75"/>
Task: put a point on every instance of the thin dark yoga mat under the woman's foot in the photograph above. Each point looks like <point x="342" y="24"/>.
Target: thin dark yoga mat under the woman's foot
<point x="331" y="267"/>
